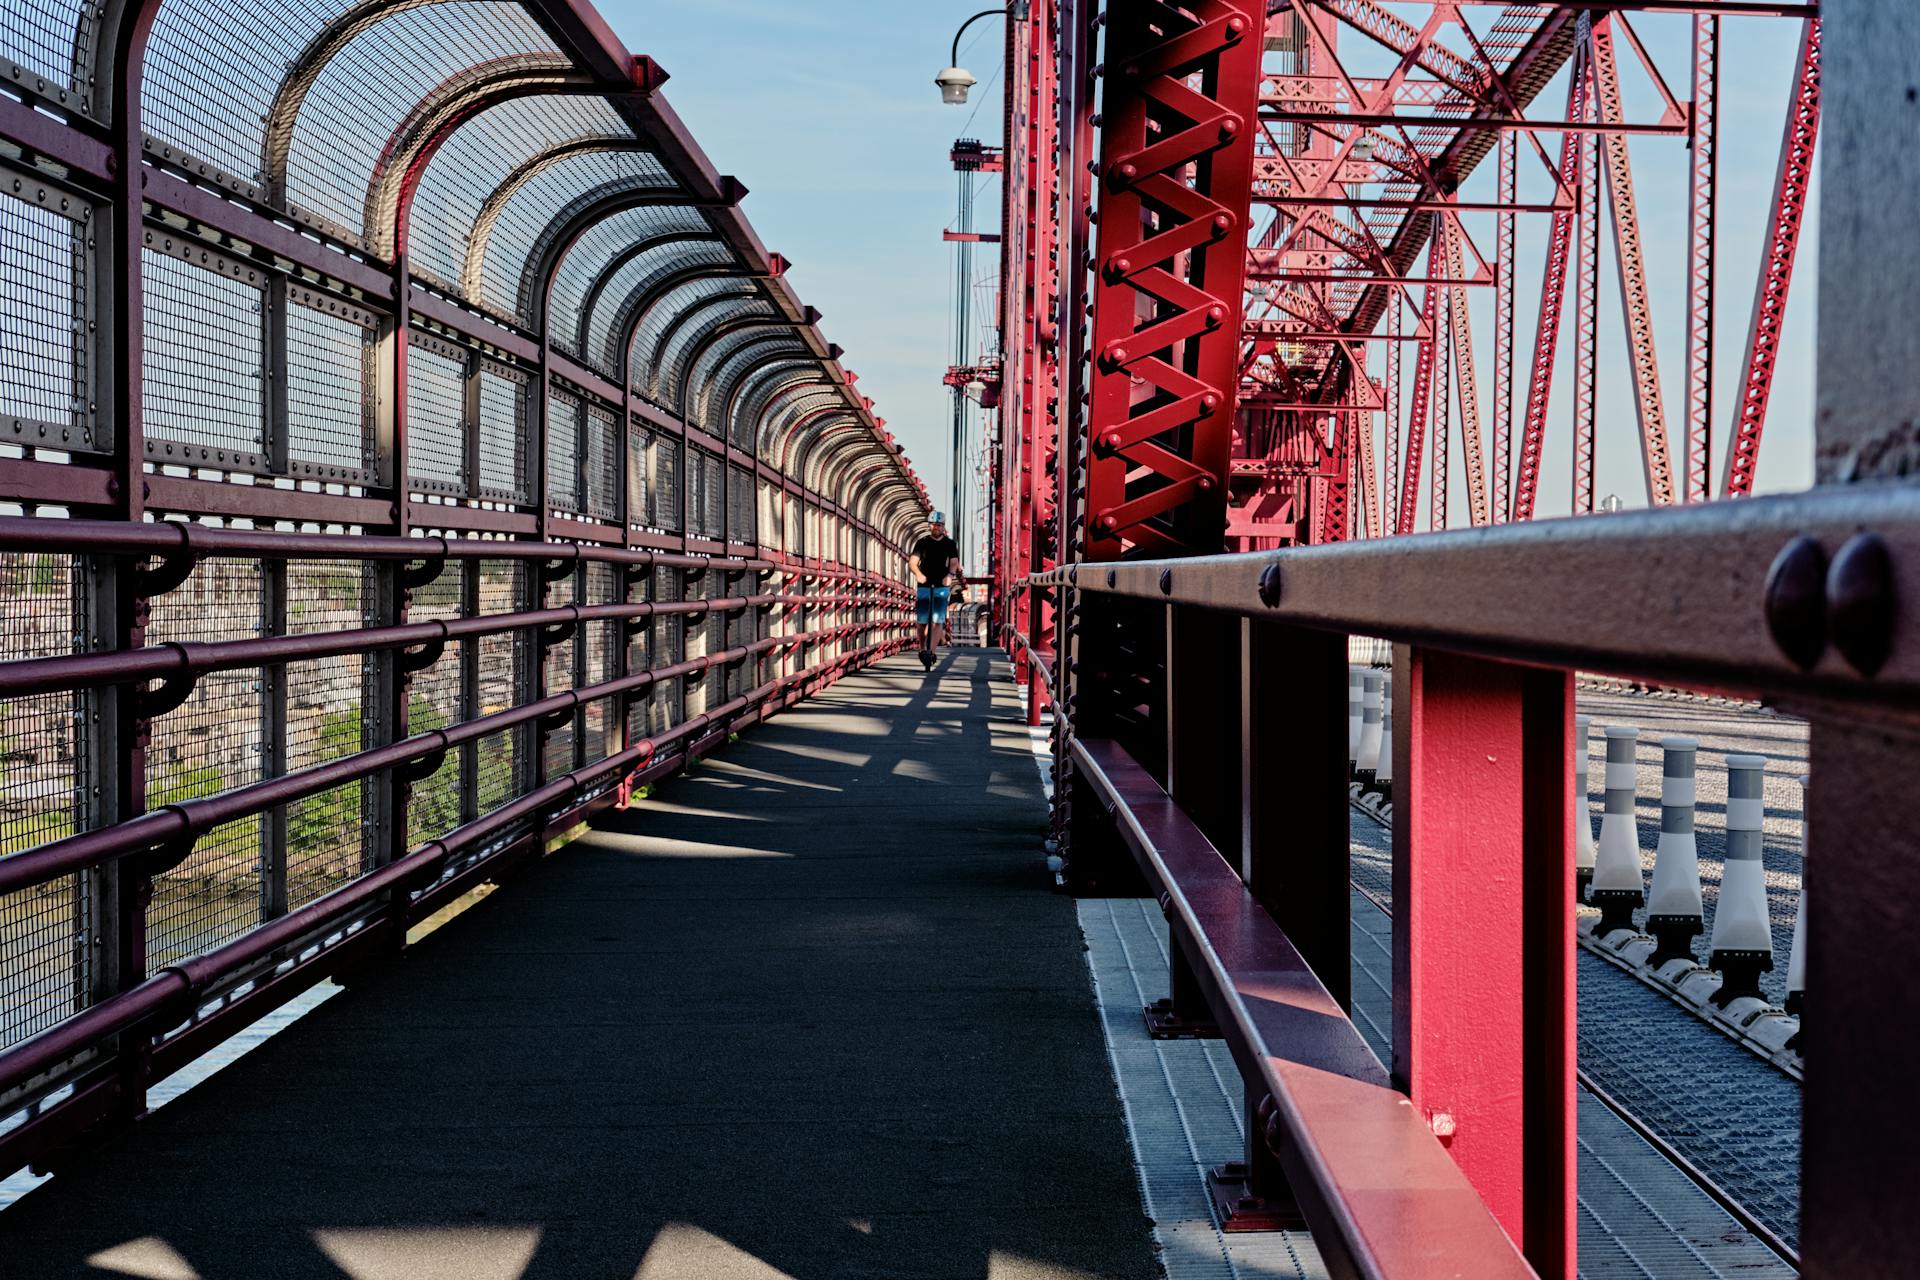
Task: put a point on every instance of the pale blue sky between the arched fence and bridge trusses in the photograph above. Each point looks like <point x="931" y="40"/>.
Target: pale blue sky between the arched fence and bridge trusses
<point x="830" y="118"/>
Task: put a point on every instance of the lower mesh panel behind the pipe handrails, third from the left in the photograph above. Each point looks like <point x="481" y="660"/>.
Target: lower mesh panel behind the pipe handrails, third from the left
<point x="327" y="832"/>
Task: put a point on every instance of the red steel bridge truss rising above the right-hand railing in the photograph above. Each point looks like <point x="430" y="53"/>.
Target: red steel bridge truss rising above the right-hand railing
<point x="1364" y="128"/>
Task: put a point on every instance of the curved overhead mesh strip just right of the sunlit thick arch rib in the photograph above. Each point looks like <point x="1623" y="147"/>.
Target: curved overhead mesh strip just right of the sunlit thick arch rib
<point x="481" y="154"/>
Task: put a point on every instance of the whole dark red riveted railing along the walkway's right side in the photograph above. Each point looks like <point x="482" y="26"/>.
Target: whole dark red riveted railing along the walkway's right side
<point x="1203" y="763"/>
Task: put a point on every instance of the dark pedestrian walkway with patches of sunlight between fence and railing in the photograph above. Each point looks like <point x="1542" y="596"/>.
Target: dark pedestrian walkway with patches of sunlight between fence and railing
<point x="807" y="1012"/>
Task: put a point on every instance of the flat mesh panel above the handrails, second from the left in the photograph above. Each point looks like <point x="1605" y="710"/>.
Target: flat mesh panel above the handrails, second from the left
<point x="201" y="362"/>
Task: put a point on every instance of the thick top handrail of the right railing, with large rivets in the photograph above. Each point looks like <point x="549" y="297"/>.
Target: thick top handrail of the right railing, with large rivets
<point x="1620" y="596"/>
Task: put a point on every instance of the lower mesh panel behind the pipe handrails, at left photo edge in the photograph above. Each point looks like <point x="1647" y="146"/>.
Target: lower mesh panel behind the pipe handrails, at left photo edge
<point x="45" y="972"/>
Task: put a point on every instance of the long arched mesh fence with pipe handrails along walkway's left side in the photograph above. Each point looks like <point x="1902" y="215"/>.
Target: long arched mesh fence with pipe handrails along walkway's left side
<point x="410" y="450"/>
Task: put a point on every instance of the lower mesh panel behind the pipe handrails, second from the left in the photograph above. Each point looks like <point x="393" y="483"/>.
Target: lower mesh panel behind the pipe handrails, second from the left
<point x="208" y="746"/>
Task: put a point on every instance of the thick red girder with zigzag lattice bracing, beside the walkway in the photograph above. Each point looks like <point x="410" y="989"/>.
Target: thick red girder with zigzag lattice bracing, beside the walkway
<point x="1176" y="179"/>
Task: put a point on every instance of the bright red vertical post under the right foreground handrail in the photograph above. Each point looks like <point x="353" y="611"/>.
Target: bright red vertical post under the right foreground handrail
<point x="1485" y="1010"/>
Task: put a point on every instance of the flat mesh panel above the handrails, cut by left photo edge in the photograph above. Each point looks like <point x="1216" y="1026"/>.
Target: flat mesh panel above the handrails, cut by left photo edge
<point x="43" y="325"/>
